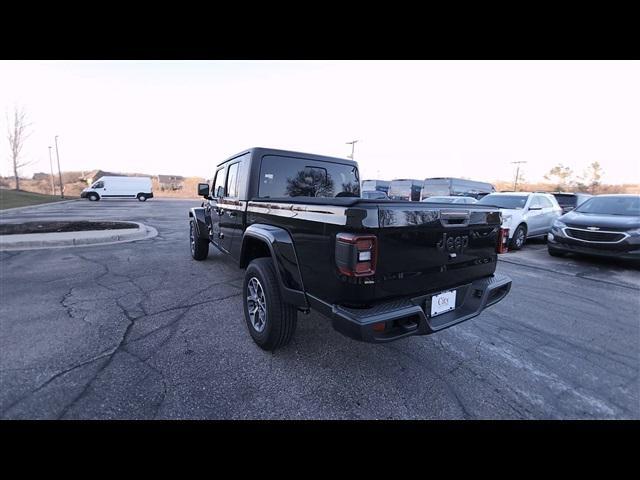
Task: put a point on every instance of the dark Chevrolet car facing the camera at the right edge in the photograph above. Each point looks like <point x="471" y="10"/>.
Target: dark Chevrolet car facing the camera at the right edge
<point x="605" y="225"/>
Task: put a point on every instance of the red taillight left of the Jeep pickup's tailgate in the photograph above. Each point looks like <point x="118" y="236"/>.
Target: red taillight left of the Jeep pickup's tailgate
<point x="356" y="255"/>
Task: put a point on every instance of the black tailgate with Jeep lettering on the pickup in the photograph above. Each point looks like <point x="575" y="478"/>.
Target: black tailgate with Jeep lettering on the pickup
<point x="427" y="247"/>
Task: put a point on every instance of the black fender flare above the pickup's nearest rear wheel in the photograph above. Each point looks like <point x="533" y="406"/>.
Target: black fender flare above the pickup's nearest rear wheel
<point x="285" y="259"/>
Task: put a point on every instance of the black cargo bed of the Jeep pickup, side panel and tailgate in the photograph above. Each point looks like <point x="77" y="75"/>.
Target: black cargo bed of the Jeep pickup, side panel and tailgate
<point x="421" y="246"/>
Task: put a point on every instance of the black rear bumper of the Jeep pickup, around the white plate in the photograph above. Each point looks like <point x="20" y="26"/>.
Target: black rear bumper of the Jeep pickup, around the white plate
<point x="408" y="316"/>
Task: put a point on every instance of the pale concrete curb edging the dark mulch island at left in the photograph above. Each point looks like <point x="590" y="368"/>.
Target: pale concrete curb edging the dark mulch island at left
<point x="36" y="241"/>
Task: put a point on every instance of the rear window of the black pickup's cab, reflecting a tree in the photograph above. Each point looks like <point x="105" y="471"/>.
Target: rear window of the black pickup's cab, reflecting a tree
<point x="301" y="177"/>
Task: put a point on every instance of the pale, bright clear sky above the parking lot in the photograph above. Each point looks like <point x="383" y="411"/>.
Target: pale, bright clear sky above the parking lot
<point x="412" y="119"/>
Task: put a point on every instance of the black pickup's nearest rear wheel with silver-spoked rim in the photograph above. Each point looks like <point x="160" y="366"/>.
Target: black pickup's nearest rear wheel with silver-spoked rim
<point x="271" y="321"/>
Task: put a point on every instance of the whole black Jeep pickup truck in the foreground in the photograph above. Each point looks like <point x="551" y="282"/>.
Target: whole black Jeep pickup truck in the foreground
<point x="379" y="269"/>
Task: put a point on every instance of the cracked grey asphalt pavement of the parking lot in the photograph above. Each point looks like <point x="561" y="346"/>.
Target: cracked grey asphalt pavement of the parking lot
<point x="139" y="331"/>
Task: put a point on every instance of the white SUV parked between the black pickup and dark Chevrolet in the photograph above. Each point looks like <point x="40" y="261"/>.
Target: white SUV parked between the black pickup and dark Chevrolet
<point x="525" y="214"/>
